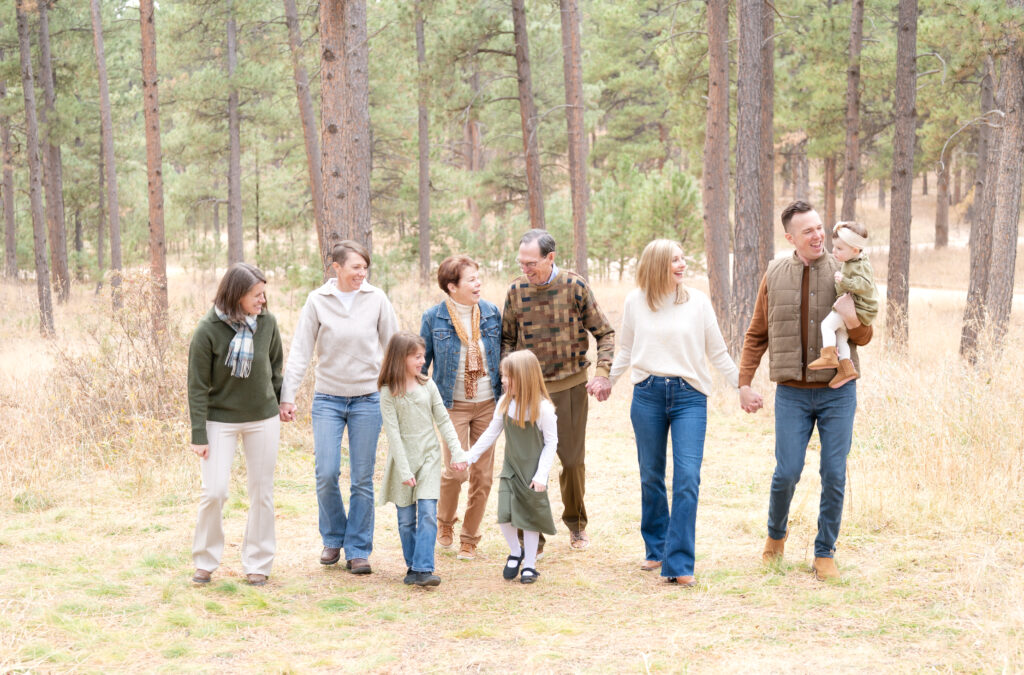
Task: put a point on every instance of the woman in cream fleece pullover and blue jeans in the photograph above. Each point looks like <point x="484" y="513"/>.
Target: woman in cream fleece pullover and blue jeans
<point x="350" y="323"/>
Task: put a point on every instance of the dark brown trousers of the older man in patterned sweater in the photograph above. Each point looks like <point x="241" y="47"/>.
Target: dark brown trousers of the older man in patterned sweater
<point x="572" y="407"/>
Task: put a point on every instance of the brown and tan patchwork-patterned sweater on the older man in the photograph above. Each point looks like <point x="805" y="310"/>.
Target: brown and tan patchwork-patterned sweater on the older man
<point x="552" y="321"/>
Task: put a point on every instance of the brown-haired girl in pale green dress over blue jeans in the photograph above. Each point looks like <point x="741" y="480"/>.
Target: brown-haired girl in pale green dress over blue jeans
<point x="411" y="405"/>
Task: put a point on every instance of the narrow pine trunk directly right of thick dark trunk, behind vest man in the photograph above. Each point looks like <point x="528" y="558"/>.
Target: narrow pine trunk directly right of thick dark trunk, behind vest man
<point x="766" y="174"/>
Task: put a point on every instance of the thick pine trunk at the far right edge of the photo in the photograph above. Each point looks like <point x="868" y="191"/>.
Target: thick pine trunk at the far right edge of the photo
<point x="1008" y="193"/>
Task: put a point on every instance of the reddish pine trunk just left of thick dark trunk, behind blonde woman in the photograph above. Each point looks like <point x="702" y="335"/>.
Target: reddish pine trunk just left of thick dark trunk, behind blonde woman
<point x="715" y="184"/>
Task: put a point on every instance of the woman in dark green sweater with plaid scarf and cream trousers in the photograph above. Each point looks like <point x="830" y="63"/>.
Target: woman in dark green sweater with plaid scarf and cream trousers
<point x="235" y="376"/>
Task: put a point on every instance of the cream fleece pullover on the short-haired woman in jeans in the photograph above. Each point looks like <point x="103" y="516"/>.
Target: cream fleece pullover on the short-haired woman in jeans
<point x="350" y="343"/>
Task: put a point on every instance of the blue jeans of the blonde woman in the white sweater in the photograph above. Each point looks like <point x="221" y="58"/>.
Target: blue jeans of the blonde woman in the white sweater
<point x="662" y="405"/>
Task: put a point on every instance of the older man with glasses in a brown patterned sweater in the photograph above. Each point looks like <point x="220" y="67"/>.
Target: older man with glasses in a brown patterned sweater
<point x="549" y="312"/>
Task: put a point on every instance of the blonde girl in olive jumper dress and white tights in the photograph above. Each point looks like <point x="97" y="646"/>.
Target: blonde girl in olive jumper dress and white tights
<point x="528" y="417"/>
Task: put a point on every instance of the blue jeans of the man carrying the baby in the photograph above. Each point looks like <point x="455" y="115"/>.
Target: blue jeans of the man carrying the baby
<point x="796" y="413"/>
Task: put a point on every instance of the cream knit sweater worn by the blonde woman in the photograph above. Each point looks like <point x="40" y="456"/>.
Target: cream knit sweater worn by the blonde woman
<point x="675" y="342"/>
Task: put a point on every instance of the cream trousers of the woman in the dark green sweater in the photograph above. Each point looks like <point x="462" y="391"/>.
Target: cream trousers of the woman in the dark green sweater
<point x="261" y="441"/>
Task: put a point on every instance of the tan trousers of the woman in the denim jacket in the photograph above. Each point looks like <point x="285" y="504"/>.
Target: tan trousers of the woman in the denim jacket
<point x="470" y="421"/>
